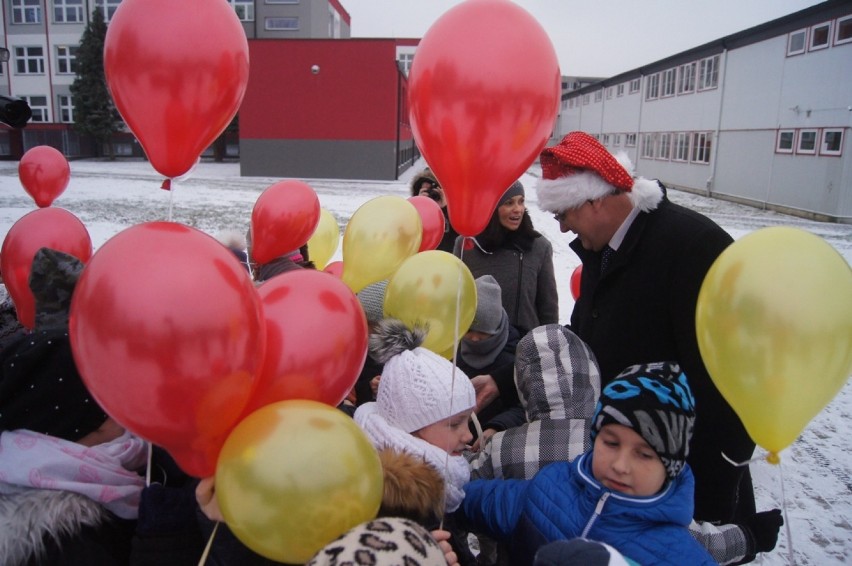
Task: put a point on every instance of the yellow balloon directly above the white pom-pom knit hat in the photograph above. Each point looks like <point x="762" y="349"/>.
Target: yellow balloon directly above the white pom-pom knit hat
<point x="425" y="290"/>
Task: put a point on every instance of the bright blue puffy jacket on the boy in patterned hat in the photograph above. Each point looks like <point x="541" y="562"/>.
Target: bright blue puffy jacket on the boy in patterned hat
<point x="564" y="501"/>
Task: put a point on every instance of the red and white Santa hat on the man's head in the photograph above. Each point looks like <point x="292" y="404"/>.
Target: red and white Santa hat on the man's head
<point x="579" y="168"/>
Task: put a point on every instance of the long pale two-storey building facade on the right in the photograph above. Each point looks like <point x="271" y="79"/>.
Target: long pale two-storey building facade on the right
<point x="761" y="117"/>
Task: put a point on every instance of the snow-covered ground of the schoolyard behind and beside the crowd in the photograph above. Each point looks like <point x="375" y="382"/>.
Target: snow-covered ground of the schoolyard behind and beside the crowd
<point x="817" y="468"/>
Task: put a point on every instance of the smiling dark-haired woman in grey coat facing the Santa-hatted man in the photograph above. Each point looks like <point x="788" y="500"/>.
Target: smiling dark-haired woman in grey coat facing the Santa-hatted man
<point x="519" y="258"/>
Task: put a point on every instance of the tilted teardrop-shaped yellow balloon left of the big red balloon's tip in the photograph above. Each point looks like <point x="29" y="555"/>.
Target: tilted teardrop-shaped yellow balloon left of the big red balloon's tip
<point x="380" y="235"/>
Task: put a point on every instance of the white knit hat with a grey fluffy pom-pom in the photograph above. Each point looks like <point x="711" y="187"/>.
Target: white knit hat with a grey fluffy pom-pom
<point x="418" y="387"/>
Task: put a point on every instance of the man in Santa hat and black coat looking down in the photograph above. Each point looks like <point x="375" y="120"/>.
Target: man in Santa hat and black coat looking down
<point x="644" y="260"/>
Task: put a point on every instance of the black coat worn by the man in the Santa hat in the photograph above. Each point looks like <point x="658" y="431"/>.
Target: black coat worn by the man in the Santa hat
<point x="643" y="309"/>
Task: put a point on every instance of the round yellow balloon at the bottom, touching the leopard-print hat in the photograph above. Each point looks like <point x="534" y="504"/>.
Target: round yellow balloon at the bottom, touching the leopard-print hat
<point x="295" y="475"/>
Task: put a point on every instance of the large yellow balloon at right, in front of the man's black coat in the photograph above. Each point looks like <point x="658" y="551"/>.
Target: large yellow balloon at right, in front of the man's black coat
<point x="774" y="326"/>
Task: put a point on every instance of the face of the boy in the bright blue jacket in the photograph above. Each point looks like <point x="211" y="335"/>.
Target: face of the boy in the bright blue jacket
<point x="623" y="461"/>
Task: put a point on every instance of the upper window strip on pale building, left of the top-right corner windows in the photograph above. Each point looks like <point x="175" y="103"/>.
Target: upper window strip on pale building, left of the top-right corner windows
<point x="685" y="79"/>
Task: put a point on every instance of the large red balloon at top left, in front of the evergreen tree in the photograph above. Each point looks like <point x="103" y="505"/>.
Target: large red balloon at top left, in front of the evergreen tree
<point x="177" y="72"/>
